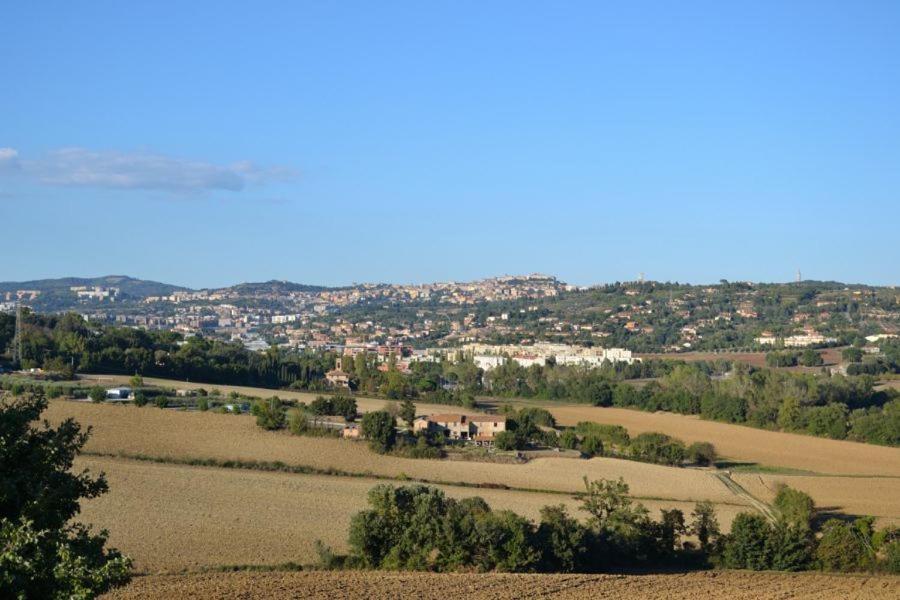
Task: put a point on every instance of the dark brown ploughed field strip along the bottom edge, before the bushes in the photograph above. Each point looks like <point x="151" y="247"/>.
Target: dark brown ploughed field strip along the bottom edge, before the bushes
<point x="732" y="585"/>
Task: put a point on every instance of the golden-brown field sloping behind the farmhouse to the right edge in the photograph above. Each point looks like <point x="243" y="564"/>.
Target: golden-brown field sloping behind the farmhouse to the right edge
<point x="771" y="448"/>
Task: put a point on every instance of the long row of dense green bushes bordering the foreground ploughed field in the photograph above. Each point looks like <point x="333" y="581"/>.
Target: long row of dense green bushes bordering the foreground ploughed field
<point x="415" y="527"/>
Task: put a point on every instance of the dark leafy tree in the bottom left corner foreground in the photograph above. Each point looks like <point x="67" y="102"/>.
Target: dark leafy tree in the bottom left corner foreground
<point x="43" y="554"/>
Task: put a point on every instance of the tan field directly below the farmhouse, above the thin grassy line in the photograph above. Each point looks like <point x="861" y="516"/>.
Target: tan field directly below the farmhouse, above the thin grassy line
<point x="184" y="435"/>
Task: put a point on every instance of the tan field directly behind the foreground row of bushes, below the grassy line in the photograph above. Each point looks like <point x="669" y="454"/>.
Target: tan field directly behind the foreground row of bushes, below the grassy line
<point x="171" y="518"/>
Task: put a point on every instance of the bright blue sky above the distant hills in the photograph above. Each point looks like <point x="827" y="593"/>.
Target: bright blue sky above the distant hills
<point x="208" y="143"/>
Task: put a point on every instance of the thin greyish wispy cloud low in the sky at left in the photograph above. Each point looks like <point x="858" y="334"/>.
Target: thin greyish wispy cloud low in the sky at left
<point x="81" y="167"/>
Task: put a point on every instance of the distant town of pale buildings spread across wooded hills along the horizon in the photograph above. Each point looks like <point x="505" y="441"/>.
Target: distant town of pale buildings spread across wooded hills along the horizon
<point x="508" y="312"/>
